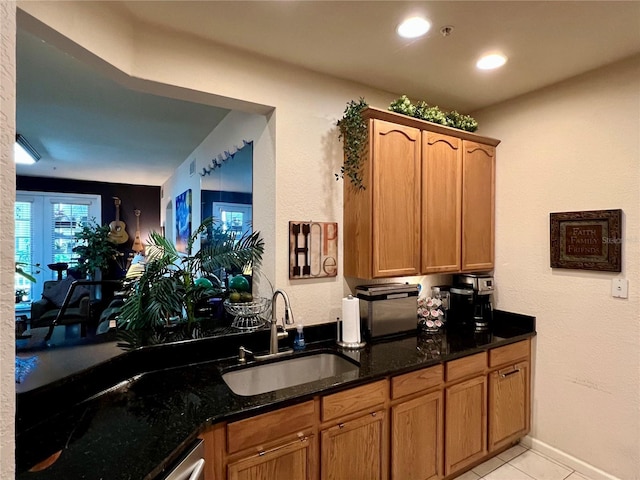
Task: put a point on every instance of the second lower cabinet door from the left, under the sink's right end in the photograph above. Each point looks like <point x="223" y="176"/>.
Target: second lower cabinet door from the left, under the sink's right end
<point x="355" y="450"/>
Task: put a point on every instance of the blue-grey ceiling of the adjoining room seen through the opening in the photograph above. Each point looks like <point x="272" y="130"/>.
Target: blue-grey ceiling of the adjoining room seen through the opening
<point x="88" y="127"/>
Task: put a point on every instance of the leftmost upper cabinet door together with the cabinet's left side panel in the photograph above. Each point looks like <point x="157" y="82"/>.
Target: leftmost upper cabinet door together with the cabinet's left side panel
<point x="382" y="222"/>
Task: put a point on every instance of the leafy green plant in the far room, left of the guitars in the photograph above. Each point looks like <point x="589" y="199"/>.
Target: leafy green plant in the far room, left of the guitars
<point x="94" y="248"/>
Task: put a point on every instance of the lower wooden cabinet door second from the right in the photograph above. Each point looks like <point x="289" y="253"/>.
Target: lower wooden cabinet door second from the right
<point x="465" y="423"/>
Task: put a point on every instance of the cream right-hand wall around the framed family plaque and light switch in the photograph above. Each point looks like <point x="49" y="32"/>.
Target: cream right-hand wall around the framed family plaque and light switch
<point x="574" y="146"/>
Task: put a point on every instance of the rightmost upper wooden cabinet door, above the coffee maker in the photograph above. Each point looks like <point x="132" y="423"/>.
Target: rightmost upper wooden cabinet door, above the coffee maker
<point x="478" y="202"/>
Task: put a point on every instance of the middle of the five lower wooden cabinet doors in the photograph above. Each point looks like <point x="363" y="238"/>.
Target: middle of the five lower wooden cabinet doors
<point x="416" y="438"/>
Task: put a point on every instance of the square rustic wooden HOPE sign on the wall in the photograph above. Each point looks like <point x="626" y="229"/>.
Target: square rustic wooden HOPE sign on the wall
<point x="313" y="249"/>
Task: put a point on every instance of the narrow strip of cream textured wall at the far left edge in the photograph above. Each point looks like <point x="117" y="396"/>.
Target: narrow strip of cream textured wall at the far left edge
<point x="7" y="198"/>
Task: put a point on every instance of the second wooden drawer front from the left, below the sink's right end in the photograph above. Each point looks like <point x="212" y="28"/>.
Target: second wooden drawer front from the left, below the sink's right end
<point x="354" y="400"/>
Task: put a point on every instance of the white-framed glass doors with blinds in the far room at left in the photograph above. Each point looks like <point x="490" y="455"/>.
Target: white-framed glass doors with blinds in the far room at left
<point x="45" y="225"/>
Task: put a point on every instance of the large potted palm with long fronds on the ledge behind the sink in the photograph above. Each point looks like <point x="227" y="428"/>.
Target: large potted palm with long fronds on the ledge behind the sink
<point x="171" y="285"/>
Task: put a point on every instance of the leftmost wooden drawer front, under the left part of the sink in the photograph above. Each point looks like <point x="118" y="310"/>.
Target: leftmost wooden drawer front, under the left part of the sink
<point x="270" y="426"/>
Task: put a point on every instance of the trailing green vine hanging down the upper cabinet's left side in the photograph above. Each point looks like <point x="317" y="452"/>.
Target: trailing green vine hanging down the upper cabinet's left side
<point x="355" y="137"/>
